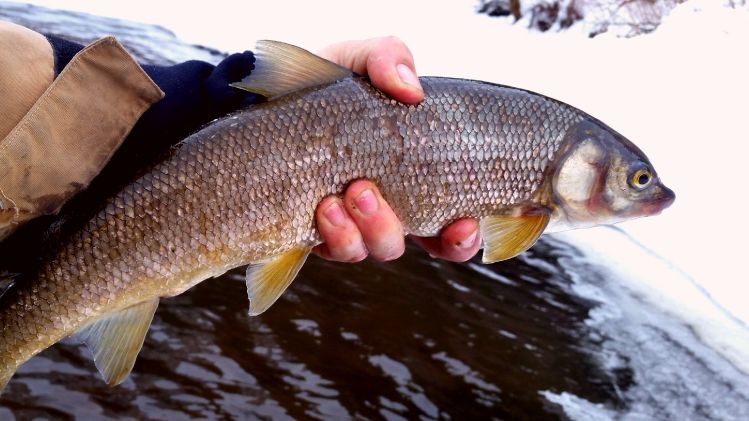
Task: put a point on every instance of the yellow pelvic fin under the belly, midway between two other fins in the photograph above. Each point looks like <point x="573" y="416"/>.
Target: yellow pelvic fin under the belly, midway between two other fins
<point x="266" y="281"/>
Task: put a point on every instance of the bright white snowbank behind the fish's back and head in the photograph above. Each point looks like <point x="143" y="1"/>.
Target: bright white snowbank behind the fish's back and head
<point x="680" y="93"/>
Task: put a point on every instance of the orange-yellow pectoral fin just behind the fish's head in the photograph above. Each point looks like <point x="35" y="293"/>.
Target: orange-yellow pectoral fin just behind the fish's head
<point x="507" y="236"/>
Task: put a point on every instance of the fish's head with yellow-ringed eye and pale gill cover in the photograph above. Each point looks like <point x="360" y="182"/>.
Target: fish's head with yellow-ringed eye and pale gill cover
<point x="603" y="178"/>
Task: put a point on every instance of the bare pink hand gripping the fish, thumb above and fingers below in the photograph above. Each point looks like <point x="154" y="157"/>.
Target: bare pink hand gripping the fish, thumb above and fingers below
<point x="362" y="222"/>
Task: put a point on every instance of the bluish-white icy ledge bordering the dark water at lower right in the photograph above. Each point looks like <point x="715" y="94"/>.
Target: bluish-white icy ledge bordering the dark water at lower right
<point x="665" y="368"/>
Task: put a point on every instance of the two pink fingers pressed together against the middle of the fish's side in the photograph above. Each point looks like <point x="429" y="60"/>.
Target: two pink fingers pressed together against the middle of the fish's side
<point x="361" y="223"/>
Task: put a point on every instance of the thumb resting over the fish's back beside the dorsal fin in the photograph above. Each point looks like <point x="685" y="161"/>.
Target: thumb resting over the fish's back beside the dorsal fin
<point x="387" y="62"/>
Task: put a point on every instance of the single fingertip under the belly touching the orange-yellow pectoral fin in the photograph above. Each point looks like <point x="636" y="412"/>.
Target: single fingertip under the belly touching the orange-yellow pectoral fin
<point x="458" y="242"/>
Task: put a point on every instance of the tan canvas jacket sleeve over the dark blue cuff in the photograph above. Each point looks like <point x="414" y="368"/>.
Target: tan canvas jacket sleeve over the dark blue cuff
<point x="67" y="132"/>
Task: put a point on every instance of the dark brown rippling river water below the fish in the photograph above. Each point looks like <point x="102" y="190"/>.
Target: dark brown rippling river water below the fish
<point x="410" y="338"/>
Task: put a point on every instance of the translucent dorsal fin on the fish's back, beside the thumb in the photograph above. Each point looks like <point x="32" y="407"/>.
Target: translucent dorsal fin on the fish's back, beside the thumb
<point x="282" y="68"/>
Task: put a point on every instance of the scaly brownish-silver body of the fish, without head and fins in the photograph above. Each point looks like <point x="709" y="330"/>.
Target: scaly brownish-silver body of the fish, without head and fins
<point x="244" y="190"/>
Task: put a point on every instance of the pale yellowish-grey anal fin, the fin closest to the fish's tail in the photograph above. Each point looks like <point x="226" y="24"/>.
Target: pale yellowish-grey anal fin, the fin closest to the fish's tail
<point x="116" y="339"/>
